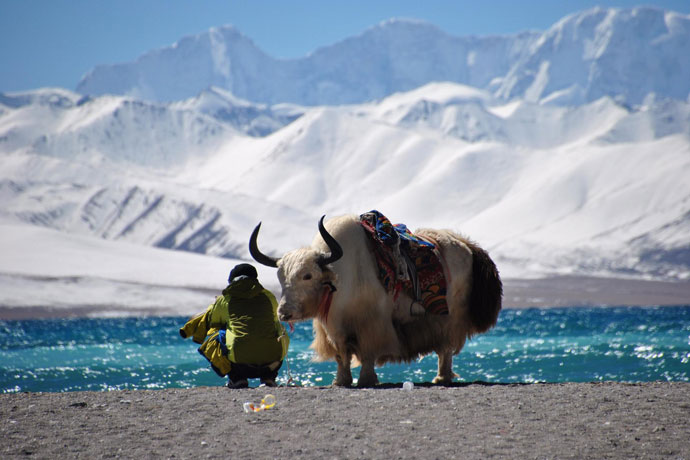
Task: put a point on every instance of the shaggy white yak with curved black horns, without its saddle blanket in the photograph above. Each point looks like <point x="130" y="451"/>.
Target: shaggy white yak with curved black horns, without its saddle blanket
<point x="335" y="282"/>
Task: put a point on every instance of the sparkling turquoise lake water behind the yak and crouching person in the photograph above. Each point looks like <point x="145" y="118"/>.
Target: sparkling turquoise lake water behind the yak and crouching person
<point x="626" y="344"/>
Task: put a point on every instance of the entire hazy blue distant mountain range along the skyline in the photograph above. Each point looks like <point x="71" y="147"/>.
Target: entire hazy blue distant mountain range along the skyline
<point x="620" y="53"/>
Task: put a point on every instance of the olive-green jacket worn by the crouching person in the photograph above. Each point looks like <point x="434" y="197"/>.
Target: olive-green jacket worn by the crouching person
<point x="248" y="312"/>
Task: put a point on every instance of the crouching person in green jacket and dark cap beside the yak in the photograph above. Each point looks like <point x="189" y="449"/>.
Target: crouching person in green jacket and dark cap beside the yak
<point x="240" y="333"/>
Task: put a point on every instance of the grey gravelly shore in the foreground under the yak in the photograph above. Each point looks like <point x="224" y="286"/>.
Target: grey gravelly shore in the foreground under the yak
<point x="477" y="420"/>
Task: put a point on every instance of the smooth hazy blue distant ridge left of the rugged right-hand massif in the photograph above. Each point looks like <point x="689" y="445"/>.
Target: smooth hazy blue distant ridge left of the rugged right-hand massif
<point x="392" y="56"/>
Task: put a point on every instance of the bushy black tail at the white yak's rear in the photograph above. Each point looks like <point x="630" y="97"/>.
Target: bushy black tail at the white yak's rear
<point x="487" y="290"/>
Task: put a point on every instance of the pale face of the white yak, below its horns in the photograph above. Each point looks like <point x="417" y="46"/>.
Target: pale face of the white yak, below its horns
<point x="302" y="280"/>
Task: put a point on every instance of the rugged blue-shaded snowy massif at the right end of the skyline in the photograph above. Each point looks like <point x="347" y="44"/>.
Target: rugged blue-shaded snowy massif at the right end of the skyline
<point x="622" y="53"/>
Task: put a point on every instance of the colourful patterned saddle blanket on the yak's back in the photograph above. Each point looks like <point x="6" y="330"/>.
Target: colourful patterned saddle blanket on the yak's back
<point x="388" y="240"/>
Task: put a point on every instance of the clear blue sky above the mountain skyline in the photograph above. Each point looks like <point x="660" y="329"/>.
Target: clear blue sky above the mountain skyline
<point x="54" y="42"/>
